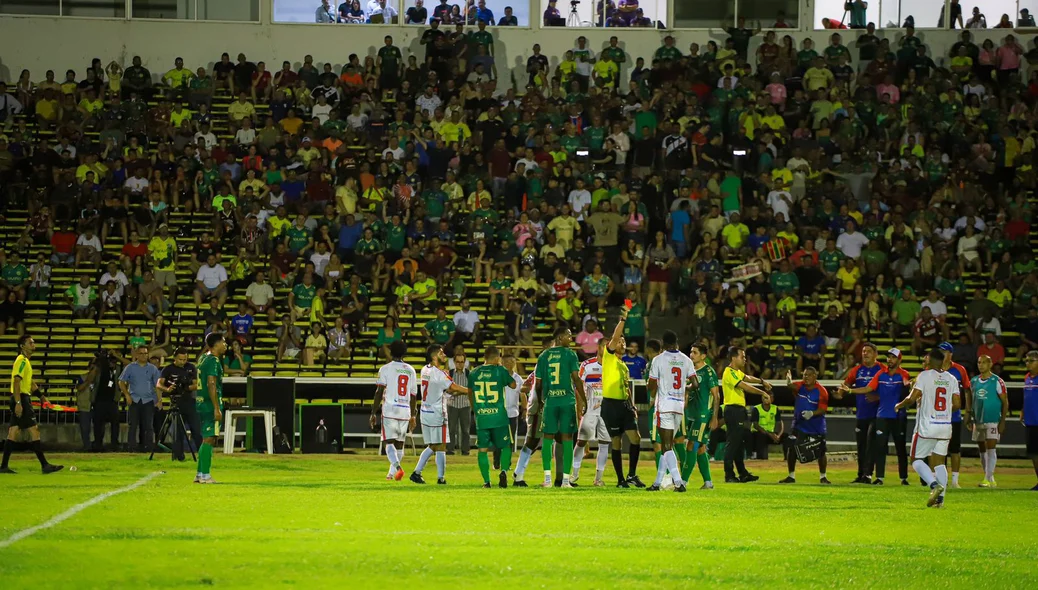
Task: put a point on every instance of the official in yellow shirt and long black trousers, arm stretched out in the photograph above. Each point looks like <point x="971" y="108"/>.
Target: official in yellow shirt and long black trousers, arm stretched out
<point x="736" y="385"/>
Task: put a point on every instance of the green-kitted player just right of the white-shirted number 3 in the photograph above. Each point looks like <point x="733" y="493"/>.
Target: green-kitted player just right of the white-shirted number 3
<point x="701" y="417"/>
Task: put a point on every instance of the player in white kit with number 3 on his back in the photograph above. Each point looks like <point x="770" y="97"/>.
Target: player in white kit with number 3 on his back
<point x="670" y="376"/>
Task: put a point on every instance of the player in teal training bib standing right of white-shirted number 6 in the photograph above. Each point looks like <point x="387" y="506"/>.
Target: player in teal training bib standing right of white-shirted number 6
<point x="991" y="406"/>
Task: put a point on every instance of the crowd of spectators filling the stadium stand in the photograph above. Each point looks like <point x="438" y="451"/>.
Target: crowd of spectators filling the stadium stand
<point x="716" y="187"/>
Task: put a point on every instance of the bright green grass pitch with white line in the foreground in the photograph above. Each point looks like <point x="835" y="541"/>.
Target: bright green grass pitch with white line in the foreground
<point x="330" y="522"/>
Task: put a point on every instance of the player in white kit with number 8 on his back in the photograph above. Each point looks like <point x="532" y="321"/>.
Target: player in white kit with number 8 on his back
<point x="396" y="394"/>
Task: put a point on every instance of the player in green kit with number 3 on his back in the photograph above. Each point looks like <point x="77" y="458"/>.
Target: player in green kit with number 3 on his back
<point x="561" y="401"/>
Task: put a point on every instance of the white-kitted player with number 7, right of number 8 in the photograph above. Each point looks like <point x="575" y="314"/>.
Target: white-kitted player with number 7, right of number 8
<point x="436" y="386"/>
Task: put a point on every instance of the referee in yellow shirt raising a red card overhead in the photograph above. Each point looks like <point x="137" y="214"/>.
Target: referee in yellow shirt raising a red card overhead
<point x="618" y="406"/>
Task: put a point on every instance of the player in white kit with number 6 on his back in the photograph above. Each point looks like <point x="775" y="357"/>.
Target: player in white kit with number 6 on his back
<point x="938" y="394"/>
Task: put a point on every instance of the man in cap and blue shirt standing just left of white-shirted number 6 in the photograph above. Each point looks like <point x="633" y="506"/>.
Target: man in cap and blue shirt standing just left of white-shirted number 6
<point x="892" y="387"/>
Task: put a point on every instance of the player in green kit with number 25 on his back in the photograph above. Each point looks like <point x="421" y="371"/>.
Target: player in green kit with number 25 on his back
<point x="493" y="427"/>
